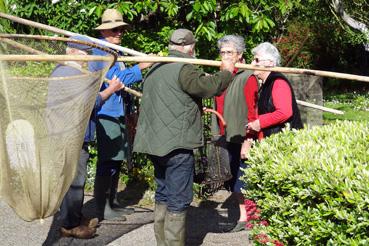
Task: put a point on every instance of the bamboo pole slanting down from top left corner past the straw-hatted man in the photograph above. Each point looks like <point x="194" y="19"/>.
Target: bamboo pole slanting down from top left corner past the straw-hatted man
<point x="68" y="33"/>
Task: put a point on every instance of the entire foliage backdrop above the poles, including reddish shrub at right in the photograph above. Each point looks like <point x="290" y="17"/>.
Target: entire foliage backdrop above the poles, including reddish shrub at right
<point x="308" y="32"/>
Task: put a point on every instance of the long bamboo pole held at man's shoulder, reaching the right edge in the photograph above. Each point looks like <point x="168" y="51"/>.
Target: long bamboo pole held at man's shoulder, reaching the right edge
<point x="245" y="66"/>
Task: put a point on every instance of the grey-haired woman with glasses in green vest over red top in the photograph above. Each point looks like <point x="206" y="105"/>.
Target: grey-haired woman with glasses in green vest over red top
<point x="238" y="106"/>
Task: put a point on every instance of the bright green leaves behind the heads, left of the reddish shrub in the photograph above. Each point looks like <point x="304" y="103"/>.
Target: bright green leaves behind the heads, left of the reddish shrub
<point x="152" y="21"/>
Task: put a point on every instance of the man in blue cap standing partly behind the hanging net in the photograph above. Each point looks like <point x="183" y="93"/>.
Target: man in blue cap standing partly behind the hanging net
<point x="74" y="224"/>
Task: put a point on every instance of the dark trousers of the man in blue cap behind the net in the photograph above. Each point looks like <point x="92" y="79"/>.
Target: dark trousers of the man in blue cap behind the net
<point x="71" y="207"/>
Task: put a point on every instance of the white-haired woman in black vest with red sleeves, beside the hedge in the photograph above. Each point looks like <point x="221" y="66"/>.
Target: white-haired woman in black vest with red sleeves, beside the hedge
<point x="276" y="104"/>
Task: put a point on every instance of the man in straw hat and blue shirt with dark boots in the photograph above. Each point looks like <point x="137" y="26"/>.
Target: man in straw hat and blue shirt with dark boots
<point x="111" y="134"/>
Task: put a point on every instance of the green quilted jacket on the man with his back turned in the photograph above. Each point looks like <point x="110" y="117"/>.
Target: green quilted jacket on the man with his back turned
<point x="170" y="110"/>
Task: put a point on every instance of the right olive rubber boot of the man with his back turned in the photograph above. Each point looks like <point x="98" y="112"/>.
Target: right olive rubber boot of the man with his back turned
<point x="175" y="228"/>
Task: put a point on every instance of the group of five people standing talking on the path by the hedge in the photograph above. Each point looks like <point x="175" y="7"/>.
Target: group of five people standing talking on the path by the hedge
<point x="255" y="104"/>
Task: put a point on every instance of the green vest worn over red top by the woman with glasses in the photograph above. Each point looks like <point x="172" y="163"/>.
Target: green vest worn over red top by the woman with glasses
<point x="235" y="108"/>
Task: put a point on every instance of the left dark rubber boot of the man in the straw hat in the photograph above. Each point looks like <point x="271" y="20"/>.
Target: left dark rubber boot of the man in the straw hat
<point x="101" y="192"/>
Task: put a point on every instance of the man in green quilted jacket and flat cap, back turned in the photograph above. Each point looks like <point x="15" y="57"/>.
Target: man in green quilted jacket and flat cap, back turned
<point x="169" y="128"/>
